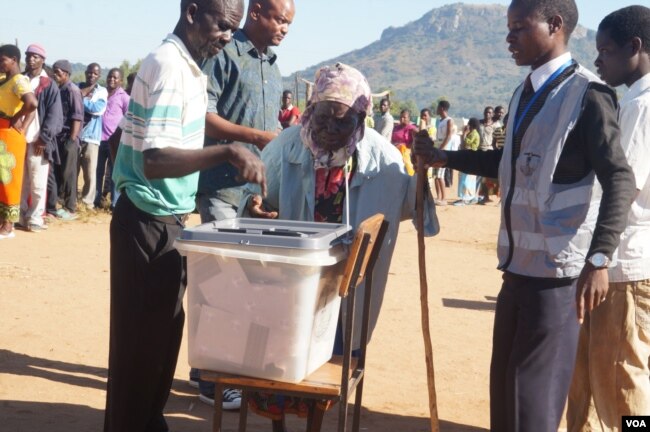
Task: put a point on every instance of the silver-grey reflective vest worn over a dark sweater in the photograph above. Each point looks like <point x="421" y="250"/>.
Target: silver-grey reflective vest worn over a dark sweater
<point x="551" y="225"/>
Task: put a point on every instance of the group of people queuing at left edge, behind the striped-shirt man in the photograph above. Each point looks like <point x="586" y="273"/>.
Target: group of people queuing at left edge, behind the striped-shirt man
<point x="66" y="134"/>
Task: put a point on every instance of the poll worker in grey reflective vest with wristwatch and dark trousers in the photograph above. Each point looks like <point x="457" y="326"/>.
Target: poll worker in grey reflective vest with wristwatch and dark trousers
<point x="566" y="192"/>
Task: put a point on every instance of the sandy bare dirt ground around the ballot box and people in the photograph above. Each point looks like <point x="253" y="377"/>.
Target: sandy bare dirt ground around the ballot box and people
<point x="54" y="303"/>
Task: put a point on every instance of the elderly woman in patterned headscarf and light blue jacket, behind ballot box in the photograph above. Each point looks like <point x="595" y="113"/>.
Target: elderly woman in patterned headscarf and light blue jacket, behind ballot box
<point x="332" y="168"/>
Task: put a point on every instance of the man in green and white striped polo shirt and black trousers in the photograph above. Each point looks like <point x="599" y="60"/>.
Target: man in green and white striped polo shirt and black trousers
<point x="156" y="170"/>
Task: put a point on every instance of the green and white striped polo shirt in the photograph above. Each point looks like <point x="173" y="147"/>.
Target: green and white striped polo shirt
<point x="167" y="109"/>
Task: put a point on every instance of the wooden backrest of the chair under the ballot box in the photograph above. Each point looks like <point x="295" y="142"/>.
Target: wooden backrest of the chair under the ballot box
<point x="362" y="246"/>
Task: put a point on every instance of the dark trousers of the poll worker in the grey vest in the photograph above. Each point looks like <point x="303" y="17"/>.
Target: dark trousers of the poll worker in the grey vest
<point x="533" y="354"/>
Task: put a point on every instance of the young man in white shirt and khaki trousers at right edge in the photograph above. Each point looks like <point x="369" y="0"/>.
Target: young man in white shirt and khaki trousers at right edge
<point x="611" y="379"/>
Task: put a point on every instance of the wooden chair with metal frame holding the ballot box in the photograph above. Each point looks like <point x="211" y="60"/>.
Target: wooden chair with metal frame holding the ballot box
<point x="342" y="374"/>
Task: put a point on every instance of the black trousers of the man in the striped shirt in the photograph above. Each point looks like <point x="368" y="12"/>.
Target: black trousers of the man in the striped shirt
<point x="147" y="288"/>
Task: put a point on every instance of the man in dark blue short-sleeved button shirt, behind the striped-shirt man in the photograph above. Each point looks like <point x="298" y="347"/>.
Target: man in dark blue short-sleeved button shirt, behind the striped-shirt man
<point x="244" y="92"/>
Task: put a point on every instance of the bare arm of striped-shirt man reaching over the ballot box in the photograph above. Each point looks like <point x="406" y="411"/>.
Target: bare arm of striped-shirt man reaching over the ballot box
<point x="172" y="162"/>
